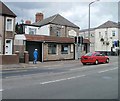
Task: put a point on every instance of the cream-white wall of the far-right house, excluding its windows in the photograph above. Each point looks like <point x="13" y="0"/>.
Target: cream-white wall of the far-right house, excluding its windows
<point x="99" y="46"/>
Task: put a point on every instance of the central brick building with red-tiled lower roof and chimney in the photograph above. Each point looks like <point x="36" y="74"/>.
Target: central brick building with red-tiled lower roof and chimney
<point x="53" y="37"/>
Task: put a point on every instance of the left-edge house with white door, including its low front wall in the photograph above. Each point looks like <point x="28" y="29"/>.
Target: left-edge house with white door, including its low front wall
<point x="7" y="31"/>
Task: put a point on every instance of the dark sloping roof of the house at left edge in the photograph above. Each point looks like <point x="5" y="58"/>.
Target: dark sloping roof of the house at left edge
<point x="5" y="11"/>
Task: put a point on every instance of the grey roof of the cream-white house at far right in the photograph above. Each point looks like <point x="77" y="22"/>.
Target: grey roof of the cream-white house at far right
<point x="109" y="24"/>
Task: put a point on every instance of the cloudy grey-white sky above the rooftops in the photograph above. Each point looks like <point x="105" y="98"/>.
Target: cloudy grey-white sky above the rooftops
<point x="76" y="12"/>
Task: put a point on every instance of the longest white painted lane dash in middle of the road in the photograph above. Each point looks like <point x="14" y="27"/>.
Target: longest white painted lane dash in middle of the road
<point x="53" y="81"/>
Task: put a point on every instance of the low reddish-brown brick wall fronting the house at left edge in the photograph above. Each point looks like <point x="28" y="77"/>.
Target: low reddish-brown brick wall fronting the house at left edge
<point x="9" y="59"/>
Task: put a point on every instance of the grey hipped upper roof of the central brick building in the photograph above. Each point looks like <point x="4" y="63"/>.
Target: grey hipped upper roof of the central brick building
<point x="56" y="19"/>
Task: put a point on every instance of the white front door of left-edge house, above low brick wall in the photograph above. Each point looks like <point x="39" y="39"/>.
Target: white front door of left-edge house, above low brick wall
<point x="8" y="47"/>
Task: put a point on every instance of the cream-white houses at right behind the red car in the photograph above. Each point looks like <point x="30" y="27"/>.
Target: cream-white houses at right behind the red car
<point x="104" y="38"/>
